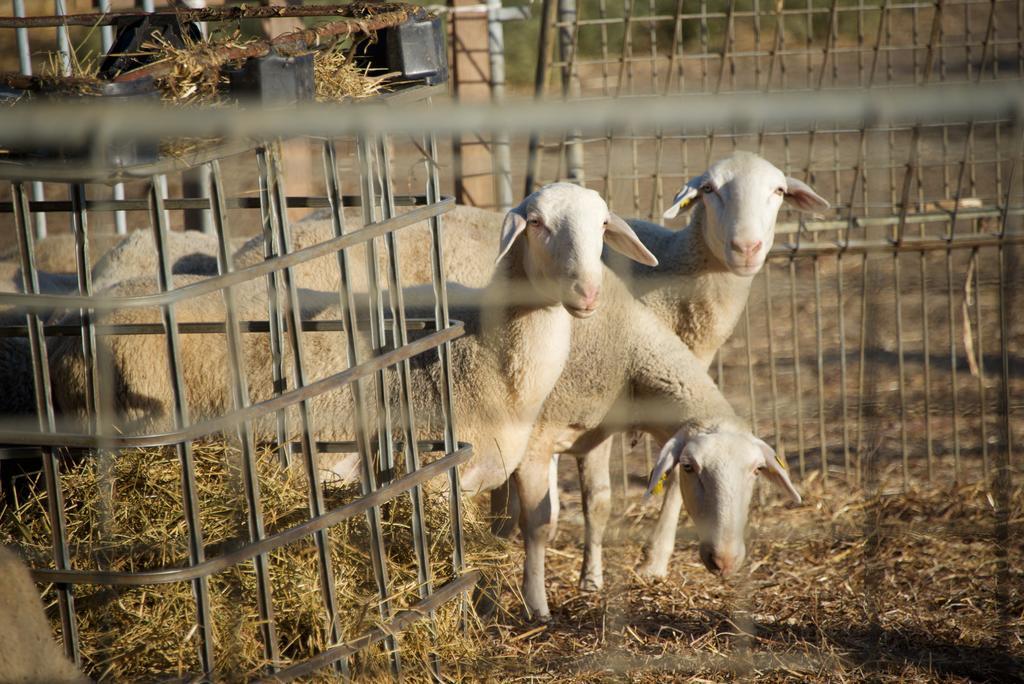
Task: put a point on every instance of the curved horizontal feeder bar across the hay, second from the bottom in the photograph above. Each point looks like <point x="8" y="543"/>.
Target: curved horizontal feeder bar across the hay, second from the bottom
<point x="214" y="566"/>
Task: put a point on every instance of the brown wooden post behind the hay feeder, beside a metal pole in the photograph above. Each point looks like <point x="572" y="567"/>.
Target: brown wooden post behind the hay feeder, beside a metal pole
<point x="475" y="183"/>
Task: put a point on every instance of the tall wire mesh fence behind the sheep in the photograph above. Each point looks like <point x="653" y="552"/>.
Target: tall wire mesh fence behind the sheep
<point x="882" y="331"/>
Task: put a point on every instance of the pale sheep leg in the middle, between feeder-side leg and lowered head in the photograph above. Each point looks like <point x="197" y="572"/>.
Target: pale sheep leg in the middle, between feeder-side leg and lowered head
<point x="595" y="483"/>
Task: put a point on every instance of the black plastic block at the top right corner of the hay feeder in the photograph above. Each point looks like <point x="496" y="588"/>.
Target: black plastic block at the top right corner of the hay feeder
<point x="415" y="49"/>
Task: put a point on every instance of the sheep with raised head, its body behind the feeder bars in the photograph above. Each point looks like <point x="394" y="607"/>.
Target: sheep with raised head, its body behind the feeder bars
<point x="505" y="366"/>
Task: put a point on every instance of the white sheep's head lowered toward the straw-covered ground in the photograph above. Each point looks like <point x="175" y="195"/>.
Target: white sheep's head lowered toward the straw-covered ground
<point x="717" y="476"/>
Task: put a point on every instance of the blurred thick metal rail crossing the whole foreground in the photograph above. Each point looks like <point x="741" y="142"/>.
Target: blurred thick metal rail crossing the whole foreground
<point x="98" y="123"/>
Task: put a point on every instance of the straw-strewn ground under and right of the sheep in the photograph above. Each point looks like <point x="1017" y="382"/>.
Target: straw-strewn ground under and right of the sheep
<point x="858" y="584"/>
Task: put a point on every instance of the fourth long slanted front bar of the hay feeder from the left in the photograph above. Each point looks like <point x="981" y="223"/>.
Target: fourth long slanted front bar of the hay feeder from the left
<point x="279" y="217"/>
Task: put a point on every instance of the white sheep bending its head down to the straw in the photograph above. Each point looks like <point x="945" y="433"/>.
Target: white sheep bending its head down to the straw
<point x="647" y="379"/>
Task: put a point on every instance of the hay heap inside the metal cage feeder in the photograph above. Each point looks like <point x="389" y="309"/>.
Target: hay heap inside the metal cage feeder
<point x="133" y="520"/>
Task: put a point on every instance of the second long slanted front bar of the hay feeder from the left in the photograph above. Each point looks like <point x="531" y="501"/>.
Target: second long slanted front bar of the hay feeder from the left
<point x="190" y="499"/>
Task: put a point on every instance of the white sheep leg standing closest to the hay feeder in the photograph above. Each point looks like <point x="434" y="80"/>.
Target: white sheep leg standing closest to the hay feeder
<point x="533" y="482"/>
